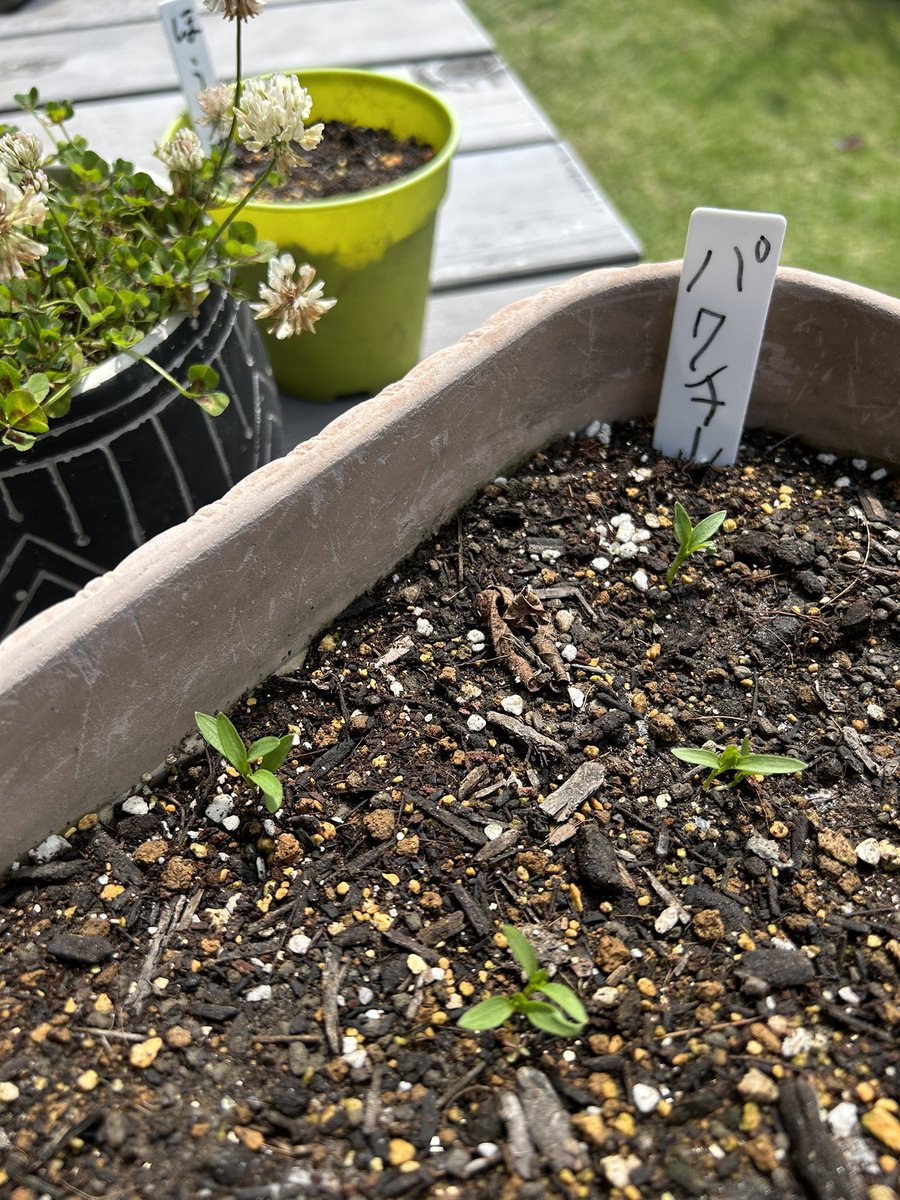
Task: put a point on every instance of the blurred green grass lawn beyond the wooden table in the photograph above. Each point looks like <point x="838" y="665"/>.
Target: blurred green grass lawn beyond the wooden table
<point x="783" y="106"/>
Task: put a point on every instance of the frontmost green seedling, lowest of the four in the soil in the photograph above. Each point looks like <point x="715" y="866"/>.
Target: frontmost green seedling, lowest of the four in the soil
<point x="561" y="1013"/>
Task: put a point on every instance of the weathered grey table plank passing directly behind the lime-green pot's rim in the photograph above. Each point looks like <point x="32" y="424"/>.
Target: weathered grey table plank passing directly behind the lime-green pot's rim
<point x="493" y="107"/>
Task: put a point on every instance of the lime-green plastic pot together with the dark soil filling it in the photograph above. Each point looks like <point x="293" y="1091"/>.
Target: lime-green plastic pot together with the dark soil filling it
<point x="367" y="217"/>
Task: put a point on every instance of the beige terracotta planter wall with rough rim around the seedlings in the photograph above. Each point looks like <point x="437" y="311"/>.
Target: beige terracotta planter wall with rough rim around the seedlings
<point x="99" y="689"/>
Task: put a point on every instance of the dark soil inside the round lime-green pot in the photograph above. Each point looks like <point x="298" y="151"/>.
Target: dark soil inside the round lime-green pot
<point x="349" y="159"/>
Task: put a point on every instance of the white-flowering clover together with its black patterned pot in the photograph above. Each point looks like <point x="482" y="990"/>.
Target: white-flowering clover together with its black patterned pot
<point x="118" y="303"/>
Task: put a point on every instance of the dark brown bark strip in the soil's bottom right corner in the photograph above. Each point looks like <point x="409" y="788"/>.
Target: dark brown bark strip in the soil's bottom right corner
<point x="819" y="1160"/>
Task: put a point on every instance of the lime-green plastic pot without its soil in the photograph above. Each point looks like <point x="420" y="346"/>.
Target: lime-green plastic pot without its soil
<point x="373" y="249"/>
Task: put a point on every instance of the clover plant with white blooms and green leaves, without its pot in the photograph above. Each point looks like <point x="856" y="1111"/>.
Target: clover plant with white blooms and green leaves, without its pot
<point x="95" y="255"/>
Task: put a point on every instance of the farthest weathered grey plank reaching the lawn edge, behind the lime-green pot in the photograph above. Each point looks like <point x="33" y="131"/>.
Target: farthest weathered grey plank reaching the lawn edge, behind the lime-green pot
<point x="89" y="64"/>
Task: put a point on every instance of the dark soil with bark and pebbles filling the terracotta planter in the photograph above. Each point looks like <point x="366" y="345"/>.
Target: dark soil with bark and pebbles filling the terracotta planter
<point x="205" y="1001"/>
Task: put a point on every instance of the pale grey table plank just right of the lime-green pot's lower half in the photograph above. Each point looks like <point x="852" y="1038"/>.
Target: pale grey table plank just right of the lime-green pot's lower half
<point x="525" y="211"/>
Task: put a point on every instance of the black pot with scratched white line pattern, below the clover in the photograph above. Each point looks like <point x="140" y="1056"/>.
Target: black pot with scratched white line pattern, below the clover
<point x="131" y="460"/>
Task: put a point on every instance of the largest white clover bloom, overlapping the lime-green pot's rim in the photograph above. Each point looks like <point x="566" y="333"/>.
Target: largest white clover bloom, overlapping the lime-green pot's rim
<point x="272" y="117"/>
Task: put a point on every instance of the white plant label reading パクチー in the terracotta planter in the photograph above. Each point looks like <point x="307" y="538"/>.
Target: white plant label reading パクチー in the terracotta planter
<point x="724" y="293"/>
